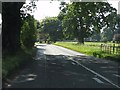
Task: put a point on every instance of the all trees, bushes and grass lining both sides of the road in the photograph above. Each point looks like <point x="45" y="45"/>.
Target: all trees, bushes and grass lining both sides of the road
<point x="86" y="21"/>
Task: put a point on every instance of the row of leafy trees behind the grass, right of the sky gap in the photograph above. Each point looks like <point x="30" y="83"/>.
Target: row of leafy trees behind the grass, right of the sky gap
<point x="82" y="21"/>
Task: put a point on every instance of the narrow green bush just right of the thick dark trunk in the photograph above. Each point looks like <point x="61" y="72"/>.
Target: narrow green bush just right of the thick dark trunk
<point x="28" y="32"/>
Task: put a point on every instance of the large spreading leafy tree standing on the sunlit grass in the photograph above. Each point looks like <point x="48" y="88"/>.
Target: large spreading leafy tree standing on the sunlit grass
<point x="82" y="18"/>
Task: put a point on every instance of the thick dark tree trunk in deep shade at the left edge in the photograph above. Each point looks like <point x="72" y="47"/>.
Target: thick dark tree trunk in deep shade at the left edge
<point x="11" y="24"/>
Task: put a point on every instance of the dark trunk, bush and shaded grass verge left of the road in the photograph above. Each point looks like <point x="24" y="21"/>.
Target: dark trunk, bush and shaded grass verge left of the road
<point x="19" y="36"/>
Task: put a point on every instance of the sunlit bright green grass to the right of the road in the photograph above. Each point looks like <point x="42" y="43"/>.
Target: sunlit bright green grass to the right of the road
<point x="89" y="48"/>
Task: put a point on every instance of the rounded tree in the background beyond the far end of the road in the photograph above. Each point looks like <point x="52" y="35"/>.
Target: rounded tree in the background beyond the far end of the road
<point x="50" y="29"/>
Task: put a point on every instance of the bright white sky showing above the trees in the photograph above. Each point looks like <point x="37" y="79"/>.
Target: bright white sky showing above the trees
<point x="47" y="9"/>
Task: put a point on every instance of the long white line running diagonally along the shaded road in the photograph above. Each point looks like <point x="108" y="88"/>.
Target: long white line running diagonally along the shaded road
<point x="97" y="74"/>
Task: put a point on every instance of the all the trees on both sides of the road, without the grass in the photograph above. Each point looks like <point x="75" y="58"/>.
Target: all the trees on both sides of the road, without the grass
<point x="78" y="20"/>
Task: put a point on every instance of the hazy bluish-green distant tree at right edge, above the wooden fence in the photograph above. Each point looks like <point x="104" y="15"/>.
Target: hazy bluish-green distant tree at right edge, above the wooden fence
<point x="113" y="28"/>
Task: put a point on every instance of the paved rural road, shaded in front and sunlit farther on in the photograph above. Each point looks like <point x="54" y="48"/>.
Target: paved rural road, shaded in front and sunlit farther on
<point x="57" y="67"/>
